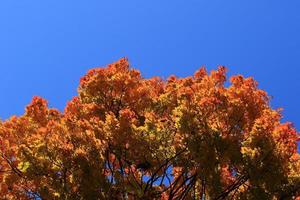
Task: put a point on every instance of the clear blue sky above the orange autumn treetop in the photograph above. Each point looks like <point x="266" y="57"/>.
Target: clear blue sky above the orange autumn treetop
<point x="47" y="45"/>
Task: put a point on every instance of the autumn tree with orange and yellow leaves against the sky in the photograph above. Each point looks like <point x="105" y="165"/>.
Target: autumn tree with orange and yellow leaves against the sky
<point x="127" y="137"/>
